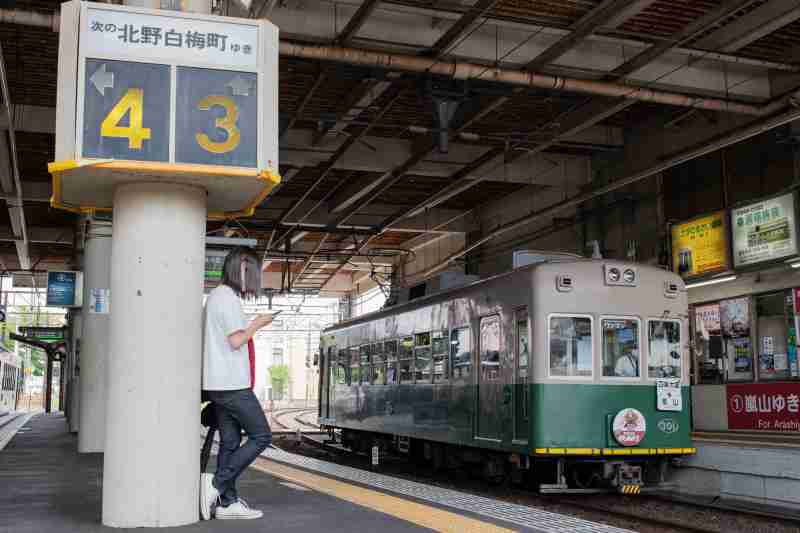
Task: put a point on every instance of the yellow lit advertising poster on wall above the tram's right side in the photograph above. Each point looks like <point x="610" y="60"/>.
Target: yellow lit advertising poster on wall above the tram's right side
<point x="700" y="246"/>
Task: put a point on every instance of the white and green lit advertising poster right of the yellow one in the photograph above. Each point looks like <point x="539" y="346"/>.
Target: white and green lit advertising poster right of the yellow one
<point x="764" y="231"/>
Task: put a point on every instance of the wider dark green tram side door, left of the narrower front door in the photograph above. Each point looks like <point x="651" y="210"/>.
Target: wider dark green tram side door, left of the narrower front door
<point x="491" y="407"/>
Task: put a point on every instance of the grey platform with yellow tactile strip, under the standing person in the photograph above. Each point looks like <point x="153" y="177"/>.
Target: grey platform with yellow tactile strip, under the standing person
<point x="49" y="487"/>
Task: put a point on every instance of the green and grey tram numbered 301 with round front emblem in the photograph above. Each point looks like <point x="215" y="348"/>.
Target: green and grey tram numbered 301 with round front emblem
<point x="567" y="374"/>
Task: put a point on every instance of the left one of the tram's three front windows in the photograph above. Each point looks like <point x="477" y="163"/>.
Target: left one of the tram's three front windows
<point x="570" y="346"/>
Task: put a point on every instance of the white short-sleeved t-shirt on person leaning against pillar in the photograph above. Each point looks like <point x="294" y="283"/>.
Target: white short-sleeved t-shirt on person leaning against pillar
<point x="223" y="367"/>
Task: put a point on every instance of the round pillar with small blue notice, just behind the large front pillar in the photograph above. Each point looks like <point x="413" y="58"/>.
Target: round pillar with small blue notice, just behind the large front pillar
<point x="94" y="338"/>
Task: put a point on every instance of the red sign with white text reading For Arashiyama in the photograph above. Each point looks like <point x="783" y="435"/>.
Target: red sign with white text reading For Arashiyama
<point x="764" y="406"/>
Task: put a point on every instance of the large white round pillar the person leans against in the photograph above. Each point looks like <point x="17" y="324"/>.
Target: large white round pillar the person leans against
<point x="152" y="451"/>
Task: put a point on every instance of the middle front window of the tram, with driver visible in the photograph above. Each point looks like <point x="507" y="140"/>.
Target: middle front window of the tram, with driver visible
<point x="620" y="347"/>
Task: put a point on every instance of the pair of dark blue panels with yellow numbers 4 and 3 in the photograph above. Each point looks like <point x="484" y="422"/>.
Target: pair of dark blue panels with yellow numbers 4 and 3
<point x="128" y="109"/>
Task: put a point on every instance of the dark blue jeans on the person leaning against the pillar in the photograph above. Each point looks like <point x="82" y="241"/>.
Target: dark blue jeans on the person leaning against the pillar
<point x="237" y="410"/>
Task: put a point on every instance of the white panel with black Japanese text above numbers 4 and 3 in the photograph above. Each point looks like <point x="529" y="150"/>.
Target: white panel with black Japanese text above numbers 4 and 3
<point x="169" y="39"/>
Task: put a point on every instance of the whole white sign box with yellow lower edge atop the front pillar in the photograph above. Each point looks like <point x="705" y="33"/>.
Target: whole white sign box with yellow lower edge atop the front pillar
<point x="146" y="95"/>
